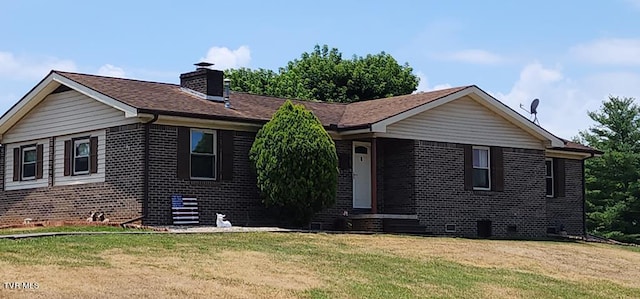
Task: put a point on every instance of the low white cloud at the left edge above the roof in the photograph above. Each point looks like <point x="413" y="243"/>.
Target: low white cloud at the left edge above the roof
<point x="22" y="67"/>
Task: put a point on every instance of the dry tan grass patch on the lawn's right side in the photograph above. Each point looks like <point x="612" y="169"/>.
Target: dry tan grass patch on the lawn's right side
<point x="557" y="259"/>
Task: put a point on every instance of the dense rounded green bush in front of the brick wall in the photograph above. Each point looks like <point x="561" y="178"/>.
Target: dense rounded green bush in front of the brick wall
<point x="296" y="163"/>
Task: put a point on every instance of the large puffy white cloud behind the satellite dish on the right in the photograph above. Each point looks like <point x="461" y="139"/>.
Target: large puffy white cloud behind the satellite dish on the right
<point x="564" y="102"/>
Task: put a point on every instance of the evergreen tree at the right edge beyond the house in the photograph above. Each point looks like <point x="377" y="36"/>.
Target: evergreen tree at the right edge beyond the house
<point x="613" y="180"/>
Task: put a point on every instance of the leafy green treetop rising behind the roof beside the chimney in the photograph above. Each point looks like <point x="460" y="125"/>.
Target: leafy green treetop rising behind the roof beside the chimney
<point x="324" y="75"/>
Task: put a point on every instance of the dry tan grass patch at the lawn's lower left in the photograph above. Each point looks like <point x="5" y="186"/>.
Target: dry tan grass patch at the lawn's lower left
<point x="227" y="275"/>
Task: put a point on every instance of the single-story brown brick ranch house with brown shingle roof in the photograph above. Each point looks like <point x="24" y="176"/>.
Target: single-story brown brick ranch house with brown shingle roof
<point x="449" y="162"/>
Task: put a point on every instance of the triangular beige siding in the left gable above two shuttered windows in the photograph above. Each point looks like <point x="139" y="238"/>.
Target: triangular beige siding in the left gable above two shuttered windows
<point x="65" y="113"/>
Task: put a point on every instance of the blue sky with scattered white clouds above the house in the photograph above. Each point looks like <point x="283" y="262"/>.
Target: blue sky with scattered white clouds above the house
<point x="570" y="54"/>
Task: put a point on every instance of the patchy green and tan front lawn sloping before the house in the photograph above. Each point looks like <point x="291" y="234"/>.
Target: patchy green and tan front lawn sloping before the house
<point x="293" y="265"/>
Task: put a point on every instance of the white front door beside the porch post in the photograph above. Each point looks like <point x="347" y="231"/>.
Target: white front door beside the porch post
<point x="362" y="175"/>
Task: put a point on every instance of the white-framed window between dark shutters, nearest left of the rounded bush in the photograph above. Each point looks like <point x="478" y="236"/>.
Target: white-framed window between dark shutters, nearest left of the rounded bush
<point x="203" y="154"/>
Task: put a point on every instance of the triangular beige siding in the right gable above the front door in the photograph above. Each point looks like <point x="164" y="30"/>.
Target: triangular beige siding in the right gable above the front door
<point x="463" y="121"/>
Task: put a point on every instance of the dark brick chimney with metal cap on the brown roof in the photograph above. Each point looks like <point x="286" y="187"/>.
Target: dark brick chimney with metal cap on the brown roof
<point x="205" y="81"/>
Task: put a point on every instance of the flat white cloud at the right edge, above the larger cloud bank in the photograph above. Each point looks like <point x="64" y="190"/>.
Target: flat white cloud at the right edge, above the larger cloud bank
<point x="612" y="51"/>
